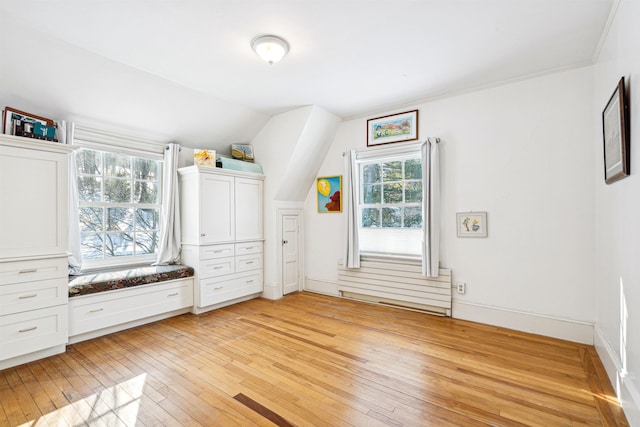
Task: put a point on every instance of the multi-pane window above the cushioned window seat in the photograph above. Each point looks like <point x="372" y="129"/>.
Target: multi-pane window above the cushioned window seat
<point x="119" y="199"/>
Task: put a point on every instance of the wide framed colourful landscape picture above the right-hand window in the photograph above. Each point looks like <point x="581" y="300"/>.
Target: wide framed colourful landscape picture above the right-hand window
<point x="399" y="127"/>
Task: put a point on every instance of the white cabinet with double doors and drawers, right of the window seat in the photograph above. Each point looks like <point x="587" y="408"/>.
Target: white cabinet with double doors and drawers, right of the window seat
<point x="222" y="234"/>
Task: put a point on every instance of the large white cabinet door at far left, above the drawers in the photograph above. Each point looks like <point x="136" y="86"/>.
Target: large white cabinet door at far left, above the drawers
<point x="33" y="202"/>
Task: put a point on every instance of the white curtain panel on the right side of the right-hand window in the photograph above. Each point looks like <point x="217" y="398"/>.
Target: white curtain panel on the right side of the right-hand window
<point x="430" y="208"/>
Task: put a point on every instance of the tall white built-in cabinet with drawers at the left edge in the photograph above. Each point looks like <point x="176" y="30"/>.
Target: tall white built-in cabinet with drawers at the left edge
<point x="33" y="249"/>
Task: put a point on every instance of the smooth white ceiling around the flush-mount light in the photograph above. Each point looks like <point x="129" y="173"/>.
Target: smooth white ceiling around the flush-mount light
<point x="352" y="57"/>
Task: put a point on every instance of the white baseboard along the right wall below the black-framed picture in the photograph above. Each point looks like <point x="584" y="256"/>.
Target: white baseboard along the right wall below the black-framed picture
<point x="627" y="393"/>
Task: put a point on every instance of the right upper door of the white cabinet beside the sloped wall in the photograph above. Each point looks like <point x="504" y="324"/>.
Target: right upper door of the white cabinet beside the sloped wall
<point x="249" y="207"/>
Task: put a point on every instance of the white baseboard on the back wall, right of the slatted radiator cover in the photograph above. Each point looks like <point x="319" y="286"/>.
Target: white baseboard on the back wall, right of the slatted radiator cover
<point x="571" y="330"/>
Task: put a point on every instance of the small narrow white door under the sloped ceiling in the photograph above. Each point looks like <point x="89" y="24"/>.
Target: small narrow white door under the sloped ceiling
<point x="290" y="253"/>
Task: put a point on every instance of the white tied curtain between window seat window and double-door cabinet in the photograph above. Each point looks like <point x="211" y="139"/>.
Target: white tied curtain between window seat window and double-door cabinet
<point x="169" y="246"/>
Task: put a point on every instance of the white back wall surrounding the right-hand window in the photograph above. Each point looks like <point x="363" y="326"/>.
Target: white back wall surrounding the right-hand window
<point x="521" y="152"/>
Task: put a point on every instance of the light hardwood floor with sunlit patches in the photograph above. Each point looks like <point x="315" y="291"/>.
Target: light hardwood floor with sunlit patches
<point x="313" y="360"/>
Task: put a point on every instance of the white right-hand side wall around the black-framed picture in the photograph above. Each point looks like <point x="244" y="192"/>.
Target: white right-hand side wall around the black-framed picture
<point x="617" y="226"/>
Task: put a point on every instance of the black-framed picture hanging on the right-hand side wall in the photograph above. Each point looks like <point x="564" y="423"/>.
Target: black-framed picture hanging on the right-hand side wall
<point x="615" y="133"/>
